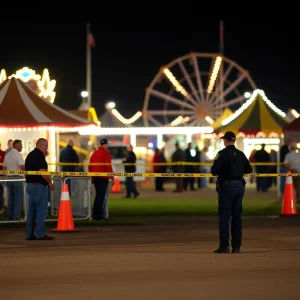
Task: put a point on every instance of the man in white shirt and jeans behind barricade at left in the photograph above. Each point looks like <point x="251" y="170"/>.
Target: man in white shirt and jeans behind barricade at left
<point x="14" y="161"/>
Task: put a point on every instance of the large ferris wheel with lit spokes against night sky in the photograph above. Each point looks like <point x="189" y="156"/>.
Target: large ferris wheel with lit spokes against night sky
<point x="194" y="90"/>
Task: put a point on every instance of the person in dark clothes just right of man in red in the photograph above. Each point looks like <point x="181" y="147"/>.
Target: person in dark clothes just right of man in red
<point x="129" y="182"/>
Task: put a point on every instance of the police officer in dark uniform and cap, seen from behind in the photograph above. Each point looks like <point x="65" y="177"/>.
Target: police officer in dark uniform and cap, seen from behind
<point x="230" y="165"/>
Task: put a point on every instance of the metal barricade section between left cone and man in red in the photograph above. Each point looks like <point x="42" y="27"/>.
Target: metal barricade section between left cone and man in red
<point x="80" y="196"/>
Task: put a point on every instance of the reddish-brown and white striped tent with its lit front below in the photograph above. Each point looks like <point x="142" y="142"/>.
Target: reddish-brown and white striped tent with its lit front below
<point x="26" y="116"/>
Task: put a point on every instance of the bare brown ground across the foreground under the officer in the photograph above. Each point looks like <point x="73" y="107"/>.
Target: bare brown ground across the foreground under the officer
<point x="167" y="258"/>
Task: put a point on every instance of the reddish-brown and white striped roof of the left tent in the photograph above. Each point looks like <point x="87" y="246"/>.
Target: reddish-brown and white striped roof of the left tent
<point x="21" y="107"/>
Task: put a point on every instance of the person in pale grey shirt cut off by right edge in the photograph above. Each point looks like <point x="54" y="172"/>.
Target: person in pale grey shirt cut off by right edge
<point x="292" y="162"/>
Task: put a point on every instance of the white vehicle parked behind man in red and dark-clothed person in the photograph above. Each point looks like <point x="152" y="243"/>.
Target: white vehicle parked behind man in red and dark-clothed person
<point x="118" y="151"/>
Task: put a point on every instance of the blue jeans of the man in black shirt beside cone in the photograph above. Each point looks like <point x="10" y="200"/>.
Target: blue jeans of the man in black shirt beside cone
<point x="37" y="209"/>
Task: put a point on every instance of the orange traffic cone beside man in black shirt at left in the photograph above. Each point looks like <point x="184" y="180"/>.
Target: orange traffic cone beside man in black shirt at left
<point x="65" y="219"/>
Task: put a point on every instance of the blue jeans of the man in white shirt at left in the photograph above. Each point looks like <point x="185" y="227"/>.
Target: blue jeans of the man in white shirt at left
<point x="15" y="199"/>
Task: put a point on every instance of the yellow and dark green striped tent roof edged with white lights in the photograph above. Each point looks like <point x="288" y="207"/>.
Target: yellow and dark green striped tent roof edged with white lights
<point x="258" y="116"/>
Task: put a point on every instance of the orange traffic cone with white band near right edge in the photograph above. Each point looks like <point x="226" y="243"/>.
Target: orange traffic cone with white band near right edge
<point x="289" y="202"/>
